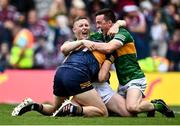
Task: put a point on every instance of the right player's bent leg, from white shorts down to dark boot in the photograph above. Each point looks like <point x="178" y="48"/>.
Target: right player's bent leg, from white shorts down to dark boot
<point x="135" y="103"/>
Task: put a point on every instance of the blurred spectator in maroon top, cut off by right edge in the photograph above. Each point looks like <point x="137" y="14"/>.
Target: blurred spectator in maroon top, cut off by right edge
<point x="173" y="53"/>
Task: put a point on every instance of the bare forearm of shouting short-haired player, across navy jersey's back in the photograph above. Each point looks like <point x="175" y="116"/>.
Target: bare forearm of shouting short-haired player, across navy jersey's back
<point x="68" y="46"/>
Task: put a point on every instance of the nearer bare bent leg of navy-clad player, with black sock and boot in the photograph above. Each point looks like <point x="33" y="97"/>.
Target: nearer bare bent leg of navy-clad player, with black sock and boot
<point x="91" y="105"/>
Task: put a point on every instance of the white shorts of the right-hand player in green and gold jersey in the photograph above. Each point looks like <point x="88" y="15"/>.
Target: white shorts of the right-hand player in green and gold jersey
<point x="136" y="83"/>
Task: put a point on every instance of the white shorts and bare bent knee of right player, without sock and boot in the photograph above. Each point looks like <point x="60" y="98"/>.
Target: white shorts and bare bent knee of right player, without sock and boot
<point x="133" y="91"/>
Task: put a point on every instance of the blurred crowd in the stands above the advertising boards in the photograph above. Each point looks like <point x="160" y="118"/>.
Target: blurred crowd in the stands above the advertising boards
<point x="31" y="31"/>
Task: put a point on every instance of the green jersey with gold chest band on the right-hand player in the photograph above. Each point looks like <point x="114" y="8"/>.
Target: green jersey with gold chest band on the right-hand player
<point x="127" y="67"/>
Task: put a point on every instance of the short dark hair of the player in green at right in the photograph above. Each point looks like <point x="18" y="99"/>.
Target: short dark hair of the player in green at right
<point x="108" y="14"/>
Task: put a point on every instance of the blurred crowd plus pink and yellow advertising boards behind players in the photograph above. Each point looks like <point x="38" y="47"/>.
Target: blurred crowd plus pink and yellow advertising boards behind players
<point x="41" y="26"/>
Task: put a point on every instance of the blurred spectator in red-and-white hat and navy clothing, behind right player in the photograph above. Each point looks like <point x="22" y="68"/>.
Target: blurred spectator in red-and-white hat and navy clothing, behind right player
<point x="136" y="24"/>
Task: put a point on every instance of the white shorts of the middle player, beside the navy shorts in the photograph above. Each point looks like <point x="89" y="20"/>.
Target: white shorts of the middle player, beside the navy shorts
<point x="104" y="90"/>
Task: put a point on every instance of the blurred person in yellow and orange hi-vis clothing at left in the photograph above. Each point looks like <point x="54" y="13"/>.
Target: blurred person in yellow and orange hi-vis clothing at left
<point x="21" y="54"/>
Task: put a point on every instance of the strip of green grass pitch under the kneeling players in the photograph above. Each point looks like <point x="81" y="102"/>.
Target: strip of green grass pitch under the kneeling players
<point x="34" y="118"/>
